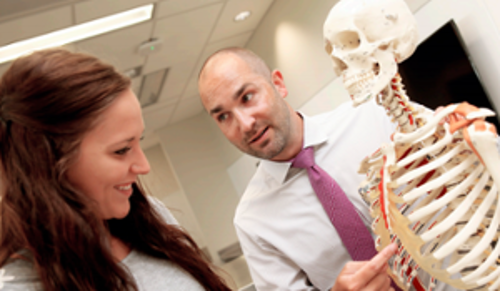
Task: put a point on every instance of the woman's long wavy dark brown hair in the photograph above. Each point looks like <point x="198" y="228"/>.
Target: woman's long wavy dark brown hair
<point x="48" y="101"/>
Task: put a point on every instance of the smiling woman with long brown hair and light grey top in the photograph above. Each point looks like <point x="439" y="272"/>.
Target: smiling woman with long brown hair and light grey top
<point x="73" y="216"/>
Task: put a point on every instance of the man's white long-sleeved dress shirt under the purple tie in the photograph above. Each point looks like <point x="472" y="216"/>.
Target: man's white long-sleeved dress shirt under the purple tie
<point x="287" y="238"/>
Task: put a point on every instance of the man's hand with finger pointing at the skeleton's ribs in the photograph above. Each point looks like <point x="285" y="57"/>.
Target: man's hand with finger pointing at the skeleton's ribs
<point x="367" y="275"/>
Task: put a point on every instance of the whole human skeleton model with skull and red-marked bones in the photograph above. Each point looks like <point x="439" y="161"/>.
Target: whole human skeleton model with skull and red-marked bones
<point x="433" y="189"/>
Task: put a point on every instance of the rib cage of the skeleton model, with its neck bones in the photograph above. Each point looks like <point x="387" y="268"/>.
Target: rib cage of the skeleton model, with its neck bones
<point x="431" y="194"/>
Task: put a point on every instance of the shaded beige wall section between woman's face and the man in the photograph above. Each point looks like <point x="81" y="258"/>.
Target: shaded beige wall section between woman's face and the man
<point x="200" y="154"/>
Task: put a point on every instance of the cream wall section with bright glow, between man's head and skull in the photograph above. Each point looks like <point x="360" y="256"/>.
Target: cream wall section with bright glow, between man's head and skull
<point x="290" y="38"/>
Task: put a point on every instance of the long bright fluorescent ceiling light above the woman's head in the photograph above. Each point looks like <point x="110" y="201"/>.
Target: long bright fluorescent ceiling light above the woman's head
<point x="76" y="33"/>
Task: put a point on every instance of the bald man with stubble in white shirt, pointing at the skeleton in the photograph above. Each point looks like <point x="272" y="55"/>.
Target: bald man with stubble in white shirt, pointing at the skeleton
<point x="288" y="239"/>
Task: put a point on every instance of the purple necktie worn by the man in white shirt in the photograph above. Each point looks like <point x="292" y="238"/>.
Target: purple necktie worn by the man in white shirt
<point x="344" y="217"/>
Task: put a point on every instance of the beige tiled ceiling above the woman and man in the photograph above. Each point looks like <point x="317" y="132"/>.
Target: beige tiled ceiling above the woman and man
<point x="191" y="30"/>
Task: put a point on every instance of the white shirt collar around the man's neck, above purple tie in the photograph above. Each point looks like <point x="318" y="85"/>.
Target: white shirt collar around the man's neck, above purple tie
<point x="313" y="135"/>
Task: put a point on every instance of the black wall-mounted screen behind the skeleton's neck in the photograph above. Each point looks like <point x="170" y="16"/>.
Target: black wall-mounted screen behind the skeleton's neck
<point x="441" y="72"/>
